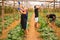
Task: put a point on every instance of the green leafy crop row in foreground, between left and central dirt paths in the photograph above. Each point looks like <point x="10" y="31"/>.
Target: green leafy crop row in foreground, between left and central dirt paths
<point x="16" y="34"/>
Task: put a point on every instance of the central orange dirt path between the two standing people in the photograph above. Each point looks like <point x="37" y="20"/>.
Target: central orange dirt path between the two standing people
<point x="32" y="34"/>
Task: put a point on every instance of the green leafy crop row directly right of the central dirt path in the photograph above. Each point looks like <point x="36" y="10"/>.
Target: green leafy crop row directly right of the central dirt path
<point x="46" y="33"/>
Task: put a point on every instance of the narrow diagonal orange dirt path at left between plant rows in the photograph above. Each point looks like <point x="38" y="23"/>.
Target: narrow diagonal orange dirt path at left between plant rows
<point x="12" y="26"/>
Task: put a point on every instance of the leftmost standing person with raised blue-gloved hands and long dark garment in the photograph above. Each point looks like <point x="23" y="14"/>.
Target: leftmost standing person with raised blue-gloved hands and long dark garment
<point x="24" y="15"/>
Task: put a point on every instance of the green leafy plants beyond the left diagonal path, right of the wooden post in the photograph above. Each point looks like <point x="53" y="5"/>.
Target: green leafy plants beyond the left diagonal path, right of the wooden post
<point x="9" y="19"/>
